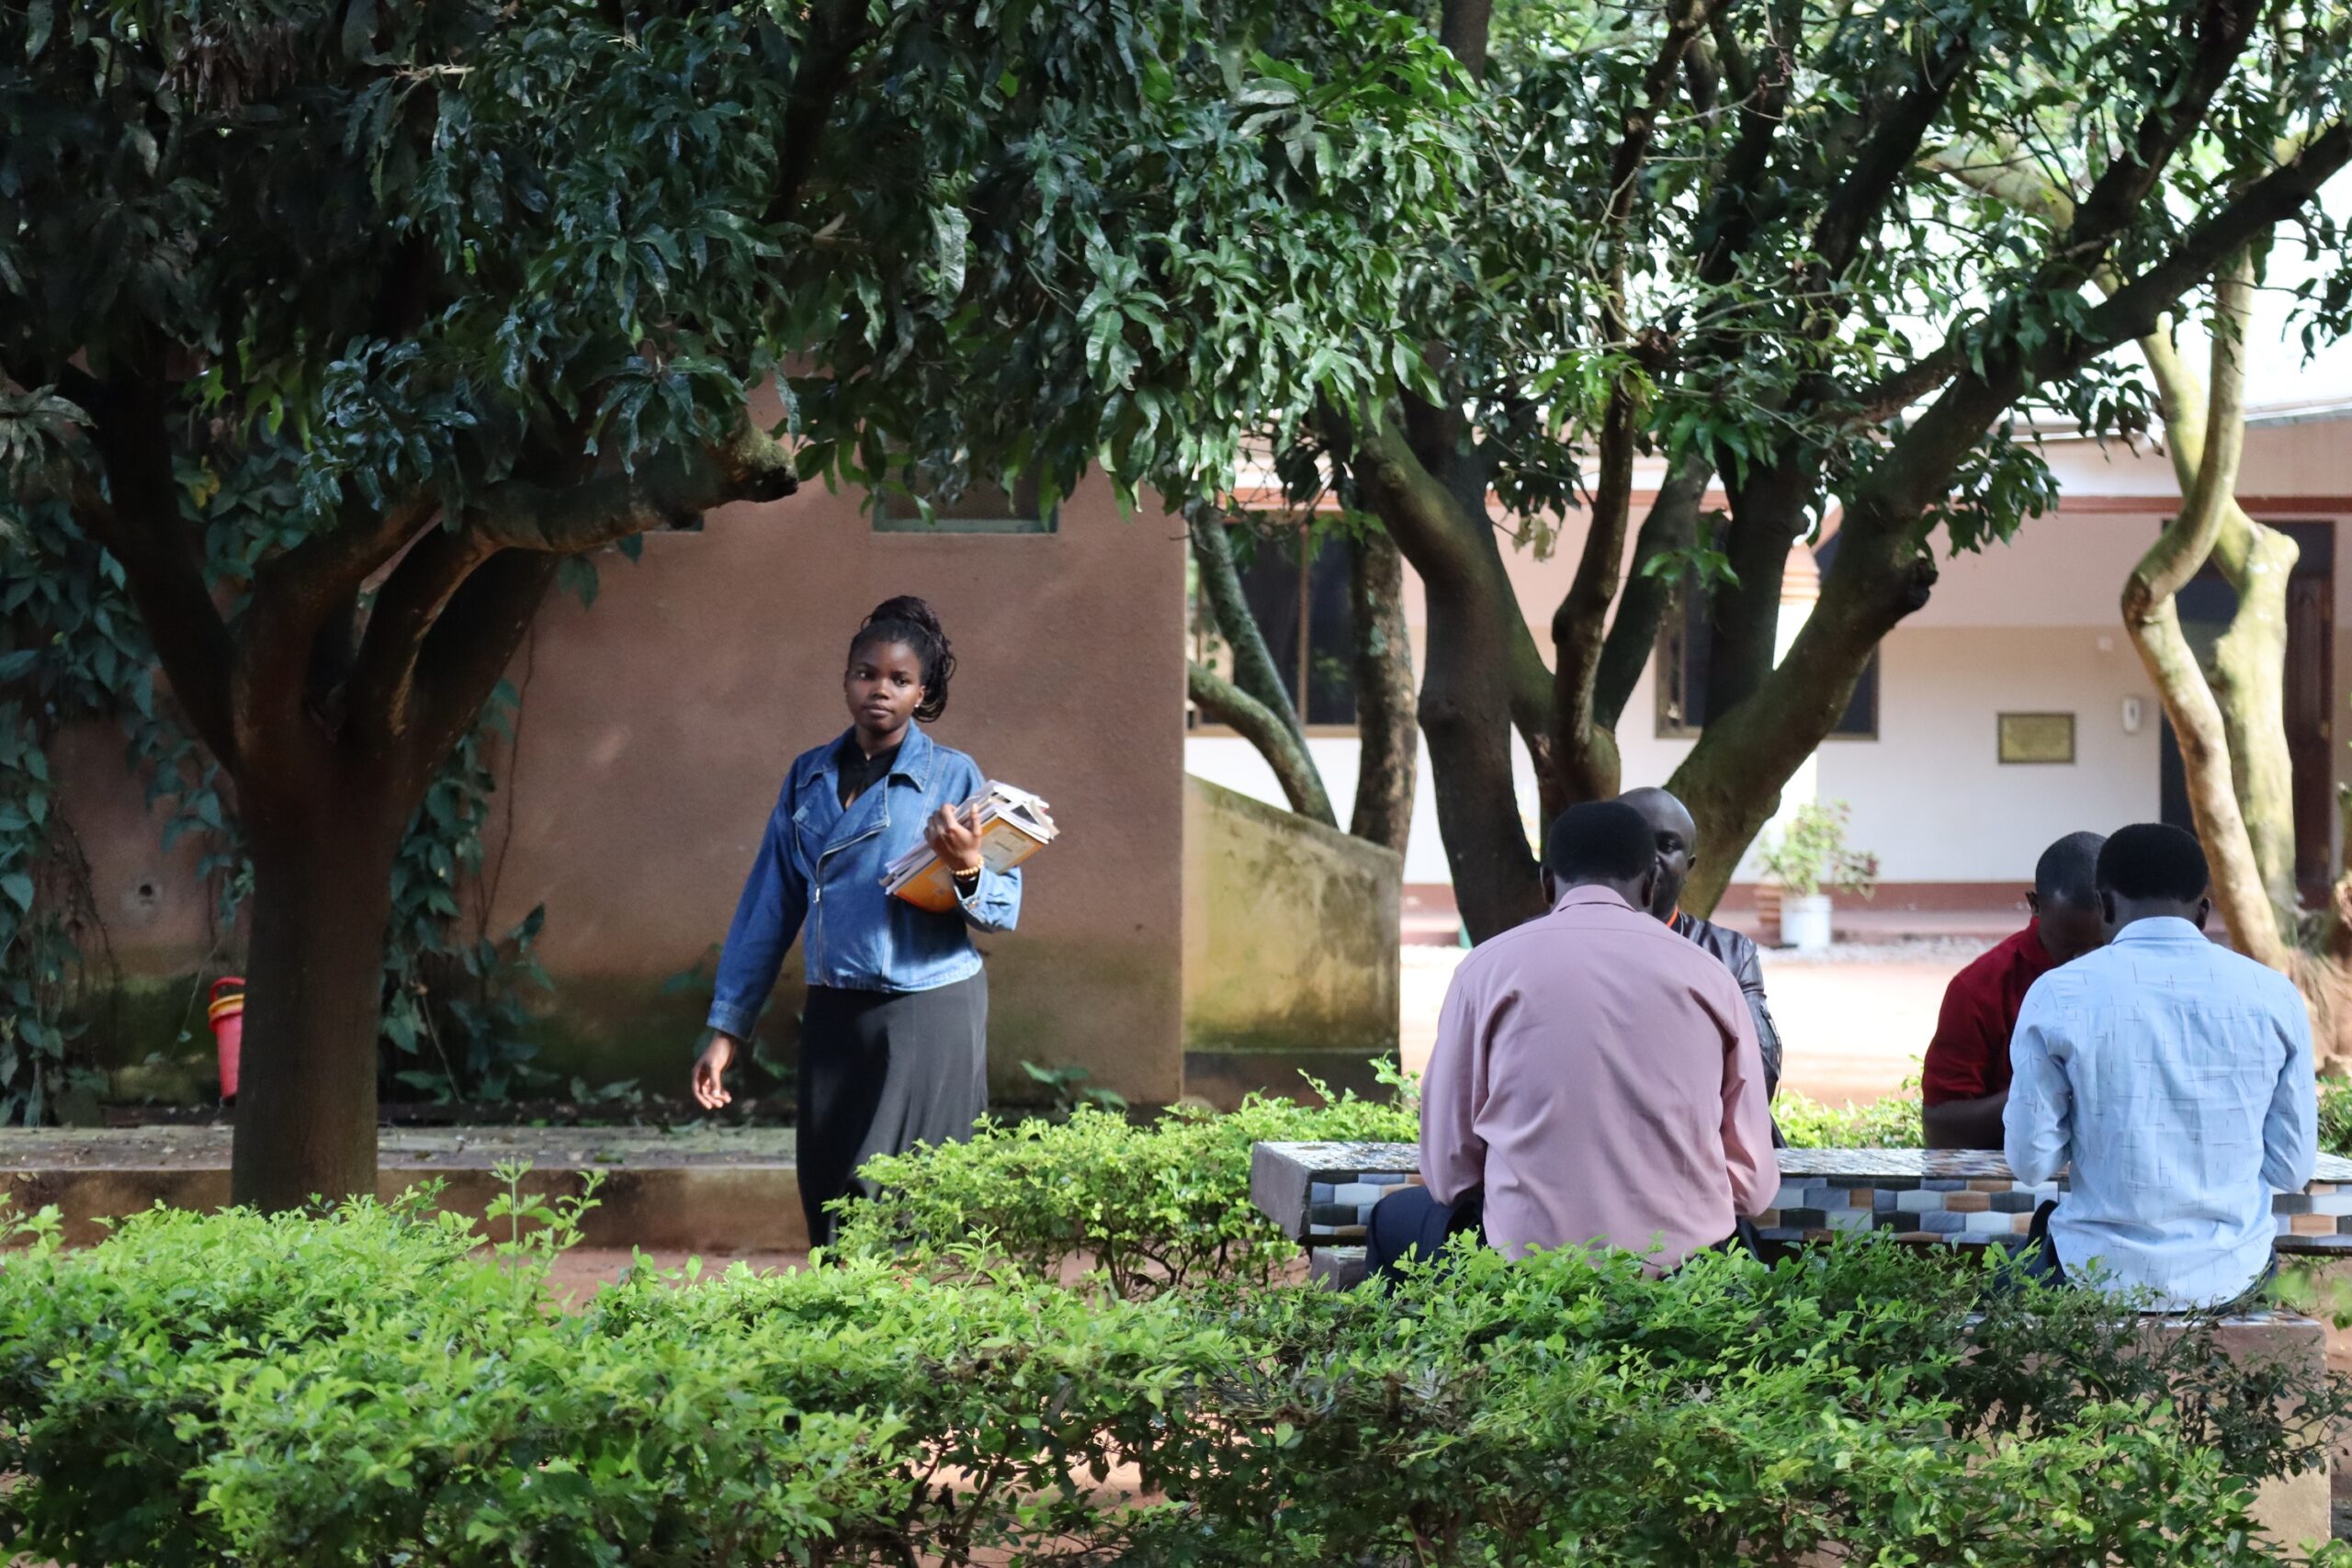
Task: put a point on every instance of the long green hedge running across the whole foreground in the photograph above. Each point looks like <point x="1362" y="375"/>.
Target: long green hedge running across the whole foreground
<point x="356" y="1391"/>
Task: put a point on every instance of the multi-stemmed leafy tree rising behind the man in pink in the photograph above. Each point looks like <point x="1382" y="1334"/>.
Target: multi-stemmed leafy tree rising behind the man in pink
<point x="1760" y="246"/>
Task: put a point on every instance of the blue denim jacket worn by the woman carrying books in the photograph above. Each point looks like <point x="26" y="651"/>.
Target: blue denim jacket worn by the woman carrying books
<point x="820" y="873"/>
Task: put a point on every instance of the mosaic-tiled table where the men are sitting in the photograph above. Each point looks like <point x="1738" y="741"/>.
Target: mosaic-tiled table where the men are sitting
<point x="1323" y="1195"/>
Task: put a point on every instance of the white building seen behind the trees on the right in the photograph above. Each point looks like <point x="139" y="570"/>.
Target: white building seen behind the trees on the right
<point x="2024" y="629"/>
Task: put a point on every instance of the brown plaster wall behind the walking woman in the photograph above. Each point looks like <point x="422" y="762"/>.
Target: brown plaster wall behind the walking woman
<point x="655" y="735"/>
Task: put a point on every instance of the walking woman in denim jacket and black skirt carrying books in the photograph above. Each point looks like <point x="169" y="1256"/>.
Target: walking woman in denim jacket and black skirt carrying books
<point x="895" y="1036"/>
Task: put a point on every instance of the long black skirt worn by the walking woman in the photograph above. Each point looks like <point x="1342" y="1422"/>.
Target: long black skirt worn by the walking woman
<point x="878" y="1076"/>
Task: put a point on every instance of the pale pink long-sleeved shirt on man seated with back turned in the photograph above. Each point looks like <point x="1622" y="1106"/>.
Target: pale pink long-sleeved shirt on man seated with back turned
<point x="1601" y="1078"/>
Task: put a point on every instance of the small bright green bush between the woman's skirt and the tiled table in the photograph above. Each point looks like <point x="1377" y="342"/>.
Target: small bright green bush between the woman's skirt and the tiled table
<point x="1154" y="1209"/>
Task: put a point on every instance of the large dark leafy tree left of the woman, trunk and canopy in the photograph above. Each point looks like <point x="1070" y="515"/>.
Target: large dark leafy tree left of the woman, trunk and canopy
<point x="342" y="326"/>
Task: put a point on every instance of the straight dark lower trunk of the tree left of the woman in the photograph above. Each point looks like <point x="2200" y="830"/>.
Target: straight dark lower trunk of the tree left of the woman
<point x="314" y="981"/>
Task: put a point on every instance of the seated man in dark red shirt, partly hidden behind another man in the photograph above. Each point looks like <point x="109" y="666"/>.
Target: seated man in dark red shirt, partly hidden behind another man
<point x="1965" y="1083"/>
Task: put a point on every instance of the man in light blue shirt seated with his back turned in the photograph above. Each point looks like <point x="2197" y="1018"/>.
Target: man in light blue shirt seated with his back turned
<point x="2172" y="1080"/>
